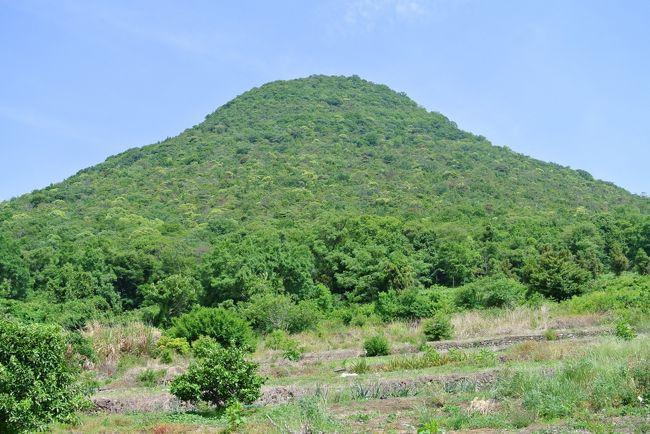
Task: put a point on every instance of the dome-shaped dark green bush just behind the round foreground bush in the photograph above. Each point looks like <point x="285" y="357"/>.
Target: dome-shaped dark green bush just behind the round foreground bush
<point x="223" y="325"/>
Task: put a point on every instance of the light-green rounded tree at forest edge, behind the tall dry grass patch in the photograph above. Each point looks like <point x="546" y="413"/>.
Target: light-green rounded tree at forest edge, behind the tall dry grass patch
<point x="174" y="295"/>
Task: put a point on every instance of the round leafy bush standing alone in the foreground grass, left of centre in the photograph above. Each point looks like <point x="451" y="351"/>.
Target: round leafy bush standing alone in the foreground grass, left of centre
<point x="220" y="376"/>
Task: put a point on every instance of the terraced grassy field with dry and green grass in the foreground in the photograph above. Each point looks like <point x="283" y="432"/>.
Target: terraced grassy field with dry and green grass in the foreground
<point x="532" y="370"/>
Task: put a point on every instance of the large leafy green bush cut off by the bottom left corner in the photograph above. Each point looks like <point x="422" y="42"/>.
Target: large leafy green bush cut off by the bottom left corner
<point x="38" y="385"/>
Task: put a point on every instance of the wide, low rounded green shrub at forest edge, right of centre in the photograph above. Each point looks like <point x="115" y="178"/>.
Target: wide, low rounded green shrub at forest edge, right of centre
<point x="499" y="292"/>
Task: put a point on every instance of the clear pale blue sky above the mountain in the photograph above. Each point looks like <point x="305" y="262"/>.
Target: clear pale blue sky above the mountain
<point x="561" y="80"/>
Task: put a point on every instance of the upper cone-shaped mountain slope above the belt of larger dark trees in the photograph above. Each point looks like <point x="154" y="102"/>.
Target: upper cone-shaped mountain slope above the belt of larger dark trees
<point x="300" y="147"/>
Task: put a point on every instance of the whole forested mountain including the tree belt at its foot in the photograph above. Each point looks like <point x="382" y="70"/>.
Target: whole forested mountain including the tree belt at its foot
<point x="322" y="184"/>
